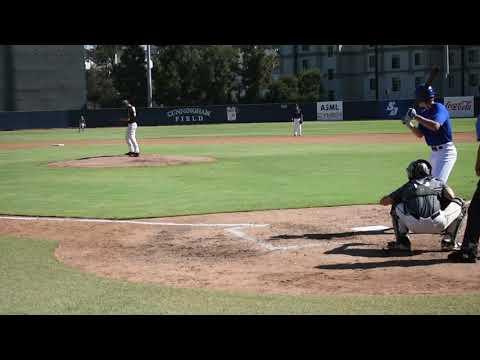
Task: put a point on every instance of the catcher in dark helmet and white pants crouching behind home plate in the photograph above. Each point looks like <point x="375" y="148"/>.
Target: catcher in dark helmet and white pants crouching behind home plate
<point x="424" y="205"/>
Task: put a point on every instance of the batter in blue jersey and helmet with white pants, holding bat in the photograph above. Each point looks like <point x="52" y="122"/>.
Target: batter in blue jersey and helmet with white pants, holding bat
<point x="435" y="125"/>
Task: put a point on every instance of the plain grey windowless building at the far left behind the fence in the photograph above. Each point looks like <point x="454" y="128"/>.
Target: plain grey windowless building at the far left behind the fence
<point x="42" y="77"/>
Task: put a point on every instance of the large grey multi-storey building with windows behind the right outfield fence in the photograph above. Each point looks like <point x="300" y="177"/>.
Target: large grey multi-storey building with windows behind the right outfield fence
<point x="350" y="73"/>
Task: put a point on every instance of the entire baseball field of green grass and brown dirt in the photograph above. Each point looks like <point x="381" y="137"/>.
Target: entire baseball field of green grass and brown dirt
<point x="221" y="219"/>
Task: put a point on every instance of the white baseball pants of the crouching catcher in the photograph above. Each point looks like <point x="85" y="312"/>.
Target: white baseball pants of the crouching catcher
<point x="427" y="226"/>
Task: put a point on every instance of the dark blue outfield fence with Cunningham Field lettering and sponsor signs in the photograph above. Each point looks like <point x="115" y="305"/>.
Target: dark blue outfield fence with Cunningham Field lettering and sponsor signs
<point x="219" y="114"/>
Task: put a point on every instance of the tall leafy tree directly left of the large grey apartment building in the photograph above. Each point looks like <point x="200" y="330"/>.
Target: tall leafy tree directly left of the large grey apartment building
<point x="257" y="65"/>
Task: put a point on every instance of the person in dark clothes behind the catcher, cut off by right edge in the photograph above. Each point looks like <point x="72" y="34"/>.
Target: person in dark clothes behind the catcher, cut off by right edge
<point x="469" y="249"/>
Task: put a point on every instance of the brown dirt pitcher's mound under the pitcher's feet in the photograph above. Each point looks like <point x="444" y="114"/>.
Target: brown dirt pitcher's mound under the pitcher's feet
<point x="124" y="161"/>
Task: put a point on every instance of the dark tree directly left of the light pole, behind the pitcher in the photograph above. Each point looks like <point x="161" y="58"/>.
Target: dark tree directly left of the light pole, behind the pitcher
<point x="130" y="77"/>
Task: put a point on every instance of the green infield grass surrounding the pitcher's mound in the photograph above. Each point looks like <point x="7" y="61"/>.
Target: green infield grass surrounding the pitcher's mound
<point x="244" y="177"/>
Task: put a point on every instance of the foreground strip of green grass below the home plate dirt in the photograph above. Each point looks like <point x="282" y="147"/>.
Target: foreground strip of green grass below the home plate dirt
<point x="32" y="281"/>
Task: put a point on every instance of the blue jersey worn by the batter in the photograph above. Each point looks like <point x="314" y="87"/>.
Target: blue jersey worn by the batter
<point x="438" y="113"/>
